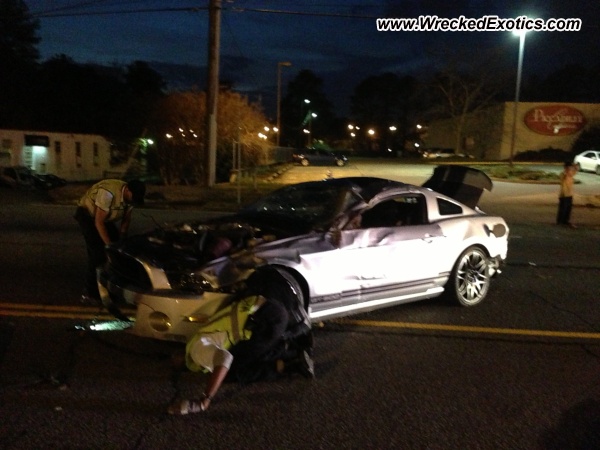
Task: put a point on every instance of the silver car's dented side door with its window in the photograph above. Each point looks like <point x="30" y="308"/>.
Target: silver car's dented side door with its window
<point x="392" y="250"/>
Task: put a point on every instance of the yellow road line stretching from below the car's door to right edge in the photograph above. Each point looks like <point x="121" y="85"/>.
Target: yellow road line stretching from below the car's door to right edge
<point x="469" y="329"/>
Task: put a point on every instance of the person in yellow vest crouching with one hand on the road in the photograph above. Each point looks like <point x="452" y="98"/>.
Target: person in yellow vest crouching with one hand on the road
<point x="243" y="338"/>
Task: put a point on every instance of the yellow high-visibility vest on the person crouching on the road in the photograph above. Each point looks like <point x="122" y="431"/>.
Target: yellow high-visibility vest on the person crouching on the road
<point x="232" y="320"/>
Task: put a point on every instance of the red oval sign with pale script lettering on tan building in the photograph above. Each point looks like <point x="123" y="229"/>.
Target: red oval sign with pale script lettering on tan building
<point x="554" y="120"/>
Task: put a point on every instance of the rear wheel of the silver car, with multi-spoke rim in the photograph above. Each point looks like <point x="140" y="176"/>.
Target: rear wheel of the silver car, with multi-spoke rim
<point x="470" y="279"/>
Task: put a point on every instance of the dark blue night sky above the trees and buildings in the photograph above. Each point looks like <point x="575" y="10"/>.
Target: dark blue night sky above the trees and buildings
<point x="336" y="39"/>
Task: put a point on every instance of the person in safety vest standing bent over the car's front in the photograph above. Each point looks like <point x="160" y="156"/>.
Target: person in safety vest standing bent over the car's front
<point x="99" y="209"/>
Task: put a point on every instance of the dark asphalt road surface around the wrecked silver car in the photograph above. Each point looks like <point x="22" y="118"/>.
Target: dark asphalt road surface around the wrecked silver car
<point x="520" y="371"/>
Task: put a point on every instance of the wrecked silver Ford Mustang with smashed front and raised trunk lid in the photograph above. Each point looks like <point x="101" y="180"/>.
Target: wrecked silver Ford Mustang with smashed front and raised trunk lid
<point x="343" y="246"/>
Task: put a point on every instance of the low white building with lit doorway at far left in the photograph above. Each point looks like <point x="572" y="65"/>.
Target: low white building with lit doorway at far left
<point x="74" y="157"/>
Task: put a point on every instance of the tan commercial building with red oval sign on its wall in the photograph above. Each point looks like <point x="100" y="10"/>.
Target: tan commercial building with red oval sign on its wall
<point x="493" y="133"/>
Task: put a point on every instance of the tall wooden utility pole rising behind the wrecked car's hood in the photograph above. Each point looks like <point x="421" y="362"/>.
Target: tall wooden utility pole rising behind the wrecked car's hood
<point x="212" y="91"/>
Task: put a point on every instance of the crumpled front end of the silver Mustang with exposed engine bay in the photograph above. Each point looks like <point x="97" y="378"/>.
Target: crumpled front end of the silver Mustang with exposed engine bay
<point x="175" y="278"/>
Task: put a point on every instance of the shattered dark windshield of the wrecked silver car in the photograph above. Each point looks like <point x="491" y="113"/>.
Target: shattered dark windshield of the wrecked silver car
<point x="315" y="204"/>
